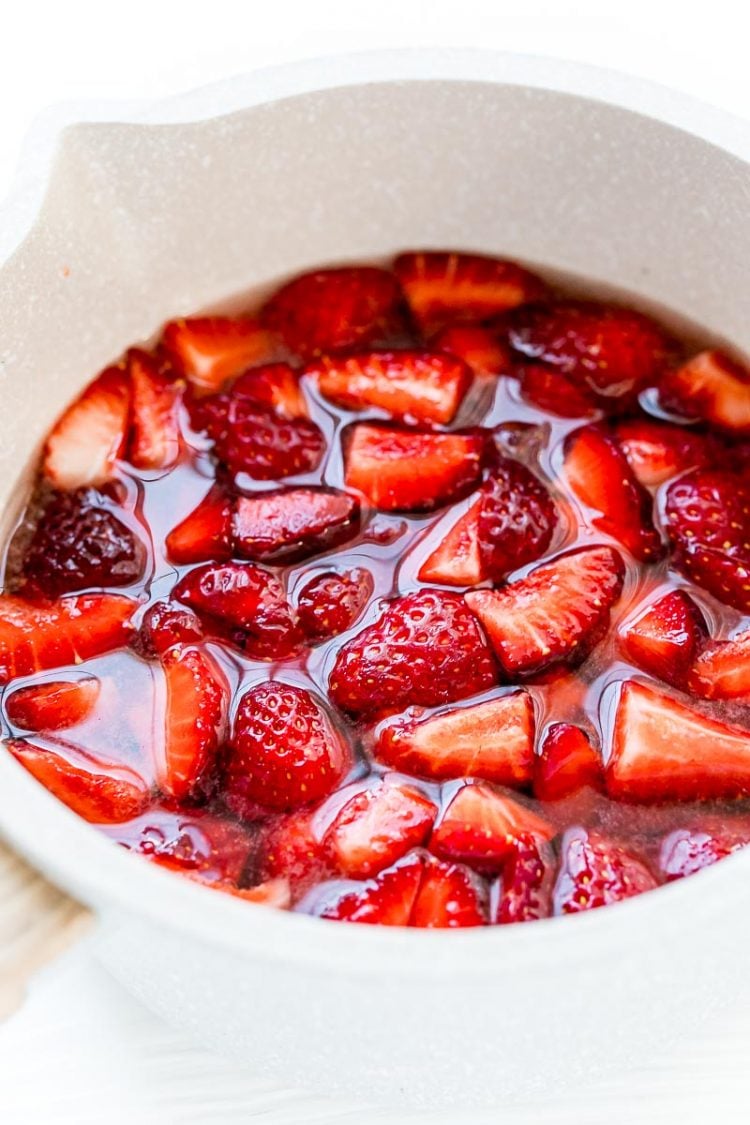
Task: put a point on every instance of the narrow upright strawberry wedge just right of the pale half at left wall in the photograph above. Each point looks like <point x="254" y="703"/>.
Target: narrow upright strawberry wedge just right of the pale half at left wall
<point x="155" y="429"/>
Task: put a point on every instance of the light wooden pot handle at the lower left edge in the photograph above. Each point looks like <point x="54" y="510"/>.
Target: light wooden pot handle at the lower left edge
<point x="38" y="923"/>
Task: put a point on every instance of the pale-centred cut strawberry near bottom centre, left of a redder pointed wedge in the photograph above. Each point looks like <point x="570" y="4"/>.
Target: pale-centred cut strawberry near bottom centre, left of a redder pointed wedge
<point x="377" y="827"/>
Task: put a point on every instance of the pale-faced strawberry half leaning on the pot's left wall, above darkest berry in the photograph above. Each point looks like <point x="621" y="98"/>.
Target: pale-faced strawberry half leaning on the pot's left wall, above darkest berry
<point x="85" y="445"/>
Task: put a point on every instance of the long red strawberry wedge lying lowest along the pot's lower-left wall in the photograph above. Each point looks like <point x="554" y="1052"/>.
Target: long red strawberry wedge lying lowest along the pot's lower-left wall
<point x="102" y="793"/>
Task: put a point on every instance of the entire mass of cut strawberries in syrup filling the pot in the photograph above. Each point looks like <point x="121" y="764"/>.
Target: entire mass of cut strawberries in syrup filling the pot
<point x="420" y="596"/>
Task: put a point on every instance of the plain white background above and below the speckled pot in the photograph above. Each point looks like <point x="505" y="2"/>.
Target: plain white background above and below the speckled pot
<point x="82" y="1051"/>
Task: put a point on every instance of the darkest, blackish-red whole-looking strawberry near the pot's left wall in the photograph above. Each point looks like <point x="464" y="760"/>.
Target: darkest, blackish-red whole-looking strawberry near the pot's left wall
<point x="79" y="544"/>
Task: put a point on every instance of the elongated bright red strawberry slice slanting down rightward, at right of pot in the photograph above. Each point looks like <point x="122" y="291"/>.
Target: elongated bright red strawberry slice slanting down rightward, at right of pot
<point x="599" y="473"/>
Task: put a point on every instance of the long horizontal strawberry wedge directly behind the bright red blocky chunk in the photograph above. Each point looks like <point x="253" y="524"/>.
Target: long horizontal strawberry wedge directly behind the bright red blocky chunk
<point x="414" y="386"/>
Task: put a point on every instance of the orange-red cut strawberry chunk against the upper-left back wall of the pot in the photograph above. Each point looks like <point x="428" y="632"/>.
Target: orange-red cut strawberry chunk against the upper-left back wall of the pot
<point x="211" y="350"/>
